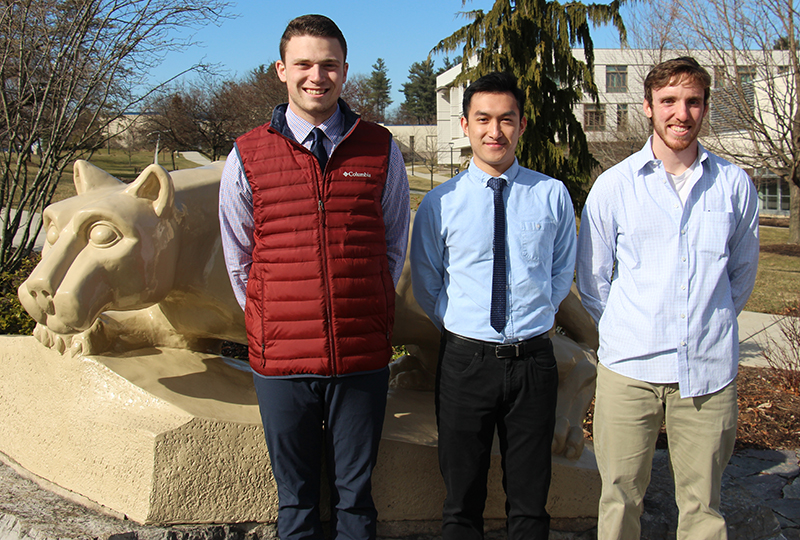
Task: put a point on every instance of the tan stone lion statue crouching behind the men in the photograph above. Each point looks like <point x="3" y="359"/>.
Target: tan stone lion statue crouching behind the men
<point x="131" y="266"/>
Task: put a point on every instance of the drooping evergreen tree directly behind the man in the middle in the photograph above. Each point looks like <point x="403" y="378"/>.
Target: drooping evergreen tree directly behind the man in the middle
<point x="533" y="40"/>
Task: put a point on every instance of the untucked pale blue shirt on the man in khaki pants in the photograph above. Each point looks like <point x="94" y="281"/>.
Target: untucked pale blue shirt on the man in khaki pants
<point x="665" y="281"/>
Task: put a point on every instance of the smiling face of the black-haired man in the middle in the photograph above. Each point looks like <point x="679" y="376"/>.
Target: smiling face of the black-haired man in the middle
<point x="494" y="125"/>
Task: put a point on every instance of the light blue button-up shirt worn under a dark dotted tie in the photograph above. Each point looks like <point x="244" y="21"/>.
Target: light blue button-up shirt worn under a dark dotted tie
<point x="451" y="253"/>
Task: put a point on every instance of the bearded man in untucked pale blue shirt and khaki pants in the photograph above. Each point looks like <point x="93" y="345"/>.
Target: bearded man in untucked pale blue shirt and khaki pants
<point x="667" y="258"/>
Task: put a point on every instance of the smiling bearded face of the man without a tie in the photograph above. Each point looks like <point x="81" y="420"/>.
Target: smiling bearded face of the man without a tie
<point x="677" y="113"/>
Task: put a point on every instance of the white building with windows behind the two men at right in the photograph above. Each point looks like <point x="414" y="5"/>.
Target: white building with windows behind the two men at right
<point x="617" y="116"/>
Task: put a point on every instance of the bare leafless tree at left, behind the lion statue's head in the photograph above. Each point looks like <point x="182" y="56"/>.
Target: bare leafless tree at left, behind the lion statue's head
<point x="67" y="70"/>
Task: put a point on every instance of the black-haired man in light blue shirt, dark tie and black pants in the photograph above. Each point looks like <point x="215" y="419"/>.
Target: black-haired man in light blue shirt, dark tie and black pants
<point x="492" y="257"/>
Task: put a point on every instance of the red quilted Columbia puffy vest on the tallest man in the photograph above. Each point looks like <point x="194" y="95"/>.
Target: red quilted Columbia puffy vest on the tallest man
<point x="320" y="298"/>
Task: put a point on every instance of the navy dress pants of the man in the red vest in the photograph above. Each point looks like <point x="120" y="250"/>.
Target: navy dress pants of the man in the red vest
<point x="343" y="415"/>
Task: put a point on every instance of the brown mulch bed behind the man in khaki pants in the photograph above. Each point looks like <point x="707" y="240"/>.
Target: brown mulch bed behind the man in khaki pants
<point x="769" y="414"/>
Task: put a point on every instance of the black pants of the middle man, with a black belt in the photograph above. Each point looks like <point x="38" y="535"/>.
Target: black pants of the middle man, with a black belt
<point x="475" y="392"/>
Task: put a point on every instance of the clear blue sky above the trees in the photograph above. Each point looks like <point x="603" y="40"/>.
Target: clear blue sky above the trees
<point x="400" y="32"/>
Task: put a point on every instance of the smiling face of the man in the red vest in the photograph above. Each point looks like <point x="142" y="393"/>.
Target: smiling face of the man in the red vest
<point x="314" y="71"/>
